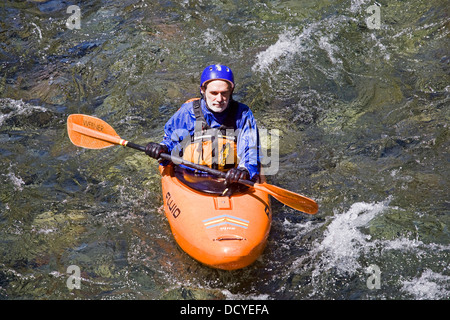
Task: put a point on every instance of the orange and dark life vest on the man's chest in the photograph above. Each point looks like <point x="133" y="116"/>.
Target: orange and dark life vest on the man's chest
<point x="213" y="147"/>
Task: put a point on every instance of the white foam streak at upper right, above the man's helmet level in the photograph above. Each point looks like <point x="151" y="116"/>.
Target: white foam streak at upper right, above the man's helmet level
<point x="322" y="38"/>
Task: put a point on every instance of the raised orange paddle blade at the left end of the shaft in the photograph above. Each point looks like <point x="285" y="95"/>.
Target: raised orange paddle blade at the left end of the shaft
<point x="91" y="132"/>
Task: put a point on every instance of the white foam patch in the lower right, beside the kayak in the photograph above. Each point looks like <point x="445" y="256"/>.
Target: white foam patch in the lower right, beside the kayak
<point x="347" y="249"/>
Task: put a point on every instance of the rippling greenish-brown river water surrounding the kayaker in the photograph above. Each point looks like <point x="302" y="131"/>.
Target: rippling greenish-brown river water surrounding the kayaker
<point x="361" y="104"/>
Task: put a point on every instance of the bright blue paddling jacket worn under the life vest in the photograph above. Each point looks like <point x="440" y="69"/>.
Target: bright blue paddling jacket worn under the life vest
<point x="181" y="126"/>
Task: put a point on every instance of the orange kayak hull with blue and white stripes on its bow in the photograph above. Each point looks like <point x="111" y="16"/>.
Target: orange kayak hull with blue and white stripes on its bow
<point x="221" y="232"/>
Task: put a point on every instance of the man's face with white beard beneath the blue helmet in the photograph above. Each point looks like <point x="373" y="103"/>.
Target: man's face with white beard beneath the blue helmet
<point x="217" y="95"/>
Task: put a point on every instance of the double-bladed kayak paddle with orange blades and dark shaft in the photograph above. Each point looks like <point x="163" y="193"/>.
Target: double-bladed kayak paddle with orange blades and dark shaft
<point x="93" y="133"/>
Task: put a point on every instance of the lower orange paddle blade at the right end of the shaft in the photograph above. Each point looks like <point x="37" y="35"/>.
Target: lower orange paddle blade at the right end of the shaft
<point x="289" y="198"/>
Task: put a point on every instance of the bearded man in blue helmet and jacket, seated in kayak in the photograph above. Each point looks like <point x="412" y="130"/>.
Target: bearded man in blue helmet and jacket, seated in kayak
<point x="214" y="130"/>
